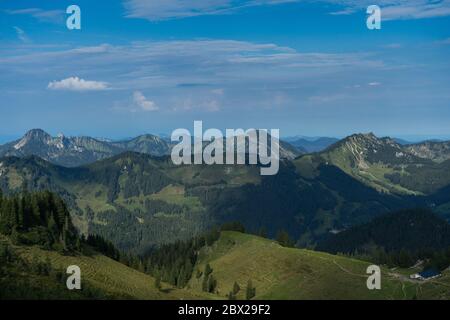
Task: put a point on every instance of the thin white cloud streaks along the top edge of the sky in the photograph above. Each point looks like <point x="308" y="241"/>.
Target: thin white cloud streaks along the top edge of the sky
<point x="155" y="10"/>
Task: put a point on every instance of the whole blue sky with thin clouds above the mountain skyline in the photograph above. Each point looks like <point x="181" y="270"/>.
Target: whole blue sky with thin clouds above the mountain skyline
<point x="305" y="67"/>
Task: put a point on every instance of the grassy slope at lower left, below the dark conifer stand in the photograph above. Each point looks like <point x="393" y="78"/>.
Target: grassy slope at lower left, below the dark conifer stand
<point x="102" y="276"/>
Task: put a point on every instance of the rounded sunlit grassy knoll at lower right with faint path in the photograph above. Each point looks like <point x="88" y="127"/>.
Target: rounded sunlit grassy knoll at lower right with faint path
<point x="287" y="273"/>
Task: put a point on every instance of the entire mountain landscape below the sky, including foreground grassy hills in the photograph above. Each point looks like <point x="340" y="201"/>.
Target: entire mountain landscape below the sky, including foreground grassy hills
<point x="355" y="197"/>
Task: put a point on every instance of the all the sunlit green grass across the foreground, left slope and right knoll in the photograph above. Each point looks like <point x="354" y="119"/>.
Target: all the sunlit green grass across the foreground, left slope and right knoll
<point x="276" y="272"/>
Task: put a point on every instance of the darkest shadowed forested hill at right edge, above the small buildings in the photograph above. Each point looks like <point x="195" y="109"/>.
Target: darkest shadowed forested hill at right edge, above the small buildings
<point x="398" y="238"/>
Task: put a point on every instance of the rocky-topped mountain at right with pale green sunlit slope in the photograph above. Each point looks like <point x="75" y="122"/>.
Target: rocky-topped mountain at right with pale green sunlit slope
<point x="382" y="164"/>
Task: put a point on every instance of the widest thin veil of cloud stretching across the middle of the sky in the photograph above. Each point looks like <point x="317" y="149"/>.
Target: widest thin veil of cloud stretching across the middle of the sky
<point x="228" y="74"/>
